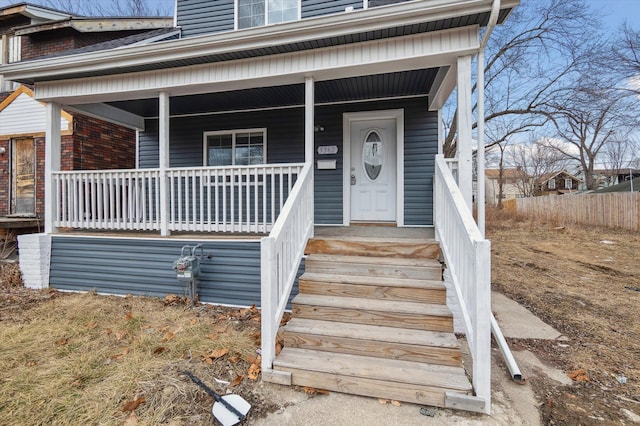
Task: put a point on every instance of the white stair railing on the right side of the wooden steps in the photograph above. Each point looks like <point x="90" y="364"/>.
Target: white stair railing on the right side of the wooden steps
<point x="468" y="258"/>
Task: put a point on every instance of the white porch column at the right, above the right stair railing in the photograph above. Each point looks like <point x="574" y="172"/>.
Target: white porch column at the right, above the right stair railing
<point x="465" y="123"/>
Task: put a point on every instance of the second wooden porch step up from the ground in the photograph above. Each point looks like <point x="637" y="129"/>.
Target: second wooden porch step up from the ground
<point x="373" y="340"/>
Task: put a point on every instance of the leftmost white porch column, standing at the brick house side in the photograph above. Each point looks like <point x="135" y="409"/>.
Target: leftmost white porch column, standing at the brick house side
<point x="53" y="146"/>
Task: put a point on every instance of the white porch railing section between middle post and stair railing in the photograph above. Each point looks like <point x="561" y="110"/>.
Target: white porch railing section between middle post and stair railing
<point x="229" y="199"/>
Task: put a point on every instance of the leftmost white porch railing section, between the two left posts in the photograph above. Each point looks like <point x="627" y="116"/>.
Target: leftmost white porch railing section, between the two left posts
<point x="107" y="199"/>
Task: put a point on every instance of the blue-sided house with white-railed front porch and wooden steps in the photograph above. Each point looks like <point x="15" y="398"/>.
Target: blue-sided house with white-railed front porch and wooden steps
<point x="265" y="120"/>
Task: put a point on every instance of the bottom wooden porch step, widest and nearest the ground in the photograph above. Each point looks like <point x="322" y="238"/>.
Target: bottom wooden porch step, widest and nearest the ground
<point x="400" y="380"/>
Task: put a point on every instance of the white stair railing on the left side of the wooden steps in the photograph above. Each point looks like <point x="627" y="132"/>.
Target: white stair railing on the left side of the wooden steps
<point x="282" y="252"/>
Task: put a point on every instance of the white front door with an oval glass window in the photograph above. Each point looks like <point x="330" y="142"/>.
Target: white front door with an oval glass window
<point x="373" y="171"/>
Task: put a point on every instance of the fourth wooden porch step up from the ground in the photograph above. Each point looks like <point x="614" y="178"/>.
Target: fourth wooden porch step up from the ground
<point x="384" y="288"/>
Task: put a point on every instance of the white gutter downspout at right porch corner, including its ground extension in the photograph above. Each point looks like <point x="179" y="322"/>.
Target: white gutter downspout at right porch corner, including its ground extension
<point x="516" y="375"/>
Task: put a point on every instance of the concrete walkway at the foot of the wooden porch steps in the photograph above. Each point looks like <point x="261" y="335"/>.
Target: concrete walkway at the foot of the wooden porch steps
<point x="512" y="404"/>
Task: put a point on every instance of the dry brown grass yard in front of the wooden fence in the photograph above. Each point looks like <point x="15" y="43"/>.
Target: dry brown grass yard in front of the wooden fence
<point x="584" y="281"/>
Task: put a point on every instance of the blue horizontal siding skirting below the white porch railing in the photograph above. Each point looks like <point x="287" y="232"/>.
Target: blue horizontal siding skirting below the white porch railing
<point x="145" y="267"/>
